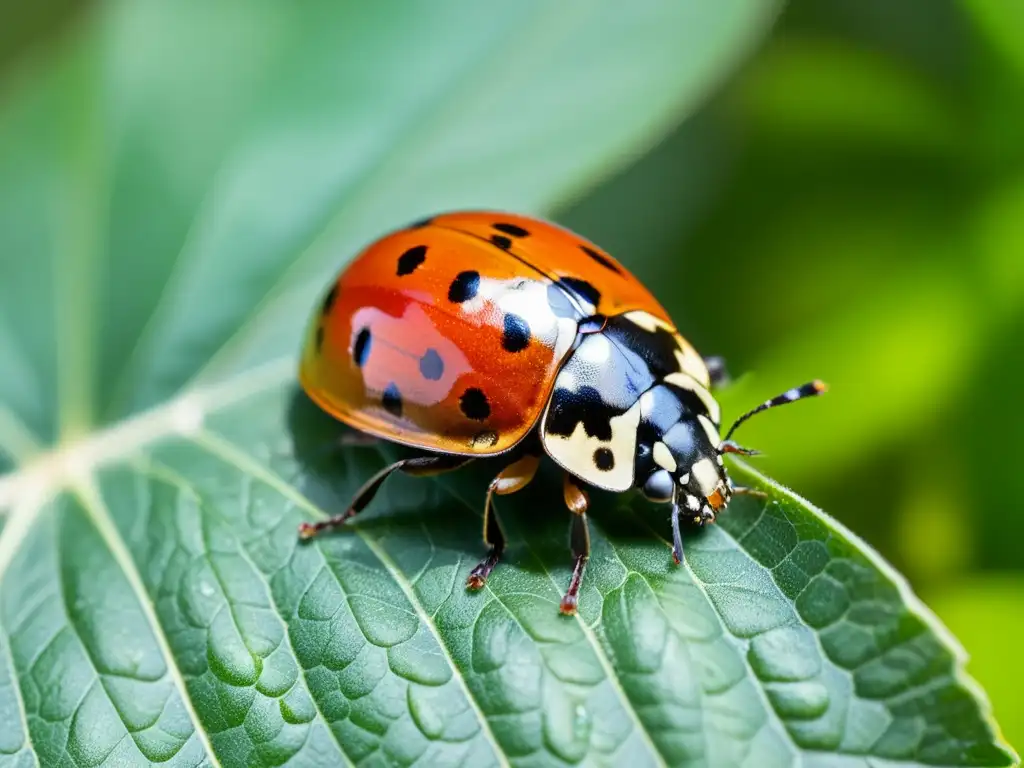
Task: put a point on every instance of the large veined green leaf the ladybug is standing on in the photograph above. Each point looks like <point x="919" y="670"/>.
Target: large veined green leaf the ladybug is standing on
<point x="178" y="182"/>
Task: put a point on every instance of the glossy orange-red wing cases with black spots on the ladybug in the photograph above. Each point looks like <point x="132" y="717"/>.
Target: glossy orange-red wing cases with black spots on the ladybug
<point x="401" y="350"/>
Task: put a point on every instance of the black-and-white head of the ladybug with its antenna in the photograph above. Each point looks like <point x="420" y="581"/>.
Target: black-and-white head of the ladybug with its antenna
<point x="687" y="464"/>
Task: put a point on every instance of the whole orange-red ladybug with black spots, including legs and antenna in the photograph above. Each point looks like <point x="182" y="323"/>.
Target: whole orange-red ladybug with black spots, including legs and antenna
<point x="480" y="333"/>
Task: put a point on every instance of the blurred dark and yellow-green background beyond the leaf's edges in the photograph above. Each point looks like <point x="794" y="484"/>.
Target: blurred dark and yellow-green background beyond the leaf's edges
<point x="850" y="205"/>
